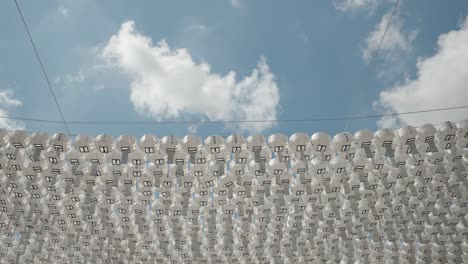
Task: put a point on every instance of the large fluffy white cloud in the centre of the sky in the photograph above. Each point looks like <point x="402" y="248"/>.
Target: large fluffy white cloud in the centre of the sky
<point x="167" y="83"/>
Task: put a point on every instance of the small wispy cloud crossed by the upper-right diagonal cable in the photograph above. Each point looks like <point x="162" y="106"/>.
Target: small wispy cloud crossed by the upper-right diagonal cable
<point x="396" y="43"/>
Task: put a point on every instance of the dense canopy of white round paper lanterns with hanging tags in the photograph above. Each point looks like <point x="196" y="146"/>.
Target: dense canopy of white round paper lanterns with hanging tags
<point x="389" y="196"/>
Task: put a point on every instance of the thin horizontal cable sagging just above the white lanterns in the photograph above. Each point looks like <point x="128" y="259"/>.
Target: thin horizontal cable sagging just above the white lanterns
<point x="347" y="118"/>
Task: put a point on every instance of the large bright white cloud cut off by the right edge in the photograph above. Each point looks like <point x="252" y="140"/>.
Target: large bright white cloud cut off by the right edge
<point x="441" y="81"/>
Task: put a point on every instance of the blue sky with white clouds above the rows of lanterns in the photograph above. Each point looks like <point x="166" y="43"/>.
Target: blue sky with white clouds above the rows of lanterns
<point x="225" y="60"/>
